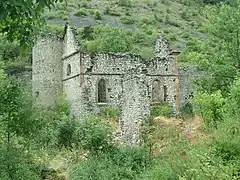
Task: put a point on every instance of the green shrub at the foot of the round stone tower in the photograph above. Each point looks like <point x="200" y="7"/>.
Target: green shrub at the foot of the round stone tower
<point x="55" y="125"/>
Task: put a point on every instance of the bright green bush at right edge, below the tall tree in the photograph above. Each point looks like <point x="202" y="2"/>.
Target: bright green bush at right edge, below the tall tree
<point x="227" y="135"/>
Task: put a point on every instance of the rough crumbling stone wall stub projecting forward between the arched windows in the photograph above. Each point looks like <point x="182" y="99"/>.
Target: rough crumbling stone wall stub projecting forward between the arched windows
<point x="135" y="107"/>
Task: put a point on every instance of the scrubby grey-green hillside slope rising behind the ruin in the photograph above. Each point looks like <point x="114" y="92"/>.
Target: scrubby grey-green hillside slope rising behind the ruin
<point x="140" y="20"/>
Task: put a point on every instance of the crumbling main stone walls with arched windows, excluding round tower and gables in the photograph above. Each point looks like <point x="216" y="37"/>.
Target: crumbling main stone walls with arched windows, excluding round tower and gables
<point x="129" y="81"/>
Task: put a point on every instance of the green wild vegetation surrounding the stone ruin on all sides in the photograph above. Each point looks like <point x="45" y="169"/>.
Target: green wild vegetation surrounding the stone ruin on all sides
<point x="38" y="143"/>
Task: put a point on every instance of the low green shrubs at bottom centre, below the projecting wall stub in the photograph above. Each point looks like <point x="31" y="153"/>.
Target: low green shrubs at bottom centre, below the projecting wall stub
<point x="124" y="163"/>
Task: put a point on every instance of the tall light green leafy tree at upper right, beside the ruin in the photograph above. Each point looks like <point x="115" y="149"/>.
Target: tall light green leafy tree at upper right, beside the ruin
<point x="218" y="55"/>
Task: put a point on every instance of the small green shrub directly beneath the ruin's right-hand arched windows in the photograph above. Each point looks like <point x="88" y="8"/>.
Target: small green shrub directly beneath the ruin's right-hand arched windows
<point x="161" y="110"/>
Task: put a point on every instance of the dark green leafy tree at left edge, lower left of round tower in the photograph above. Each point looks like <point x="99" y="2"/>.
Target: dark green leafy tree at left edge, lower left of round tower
<point x="15" y="110"/>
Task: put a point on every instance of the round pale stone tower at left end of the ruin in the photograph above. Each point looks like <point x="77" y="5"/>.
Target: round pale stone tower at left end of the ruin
<point x="47" y="70"/>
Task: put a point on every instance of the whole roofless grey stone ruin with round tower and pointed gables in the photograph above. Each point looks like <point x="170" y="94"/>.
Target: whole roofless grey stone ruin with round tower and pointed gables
<point x="92" y="81"/>
